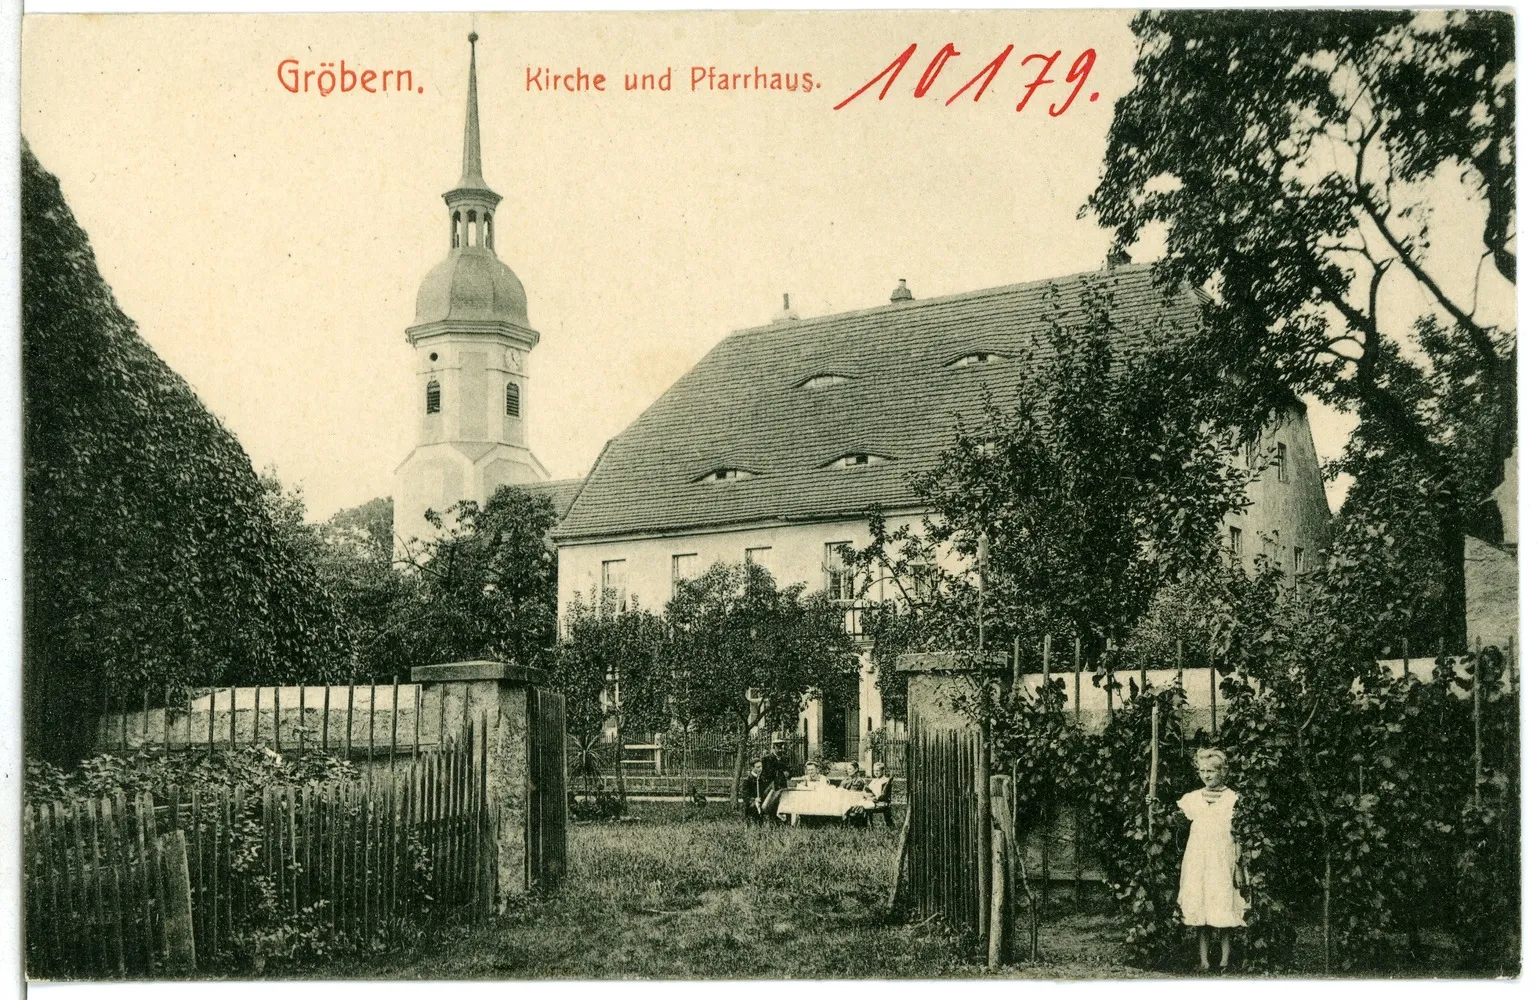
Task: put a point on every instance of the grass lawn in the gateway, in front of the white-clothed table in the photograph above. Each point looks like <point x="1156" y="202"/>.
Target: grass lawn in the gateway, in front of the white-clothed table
<point x="685" y="893"/>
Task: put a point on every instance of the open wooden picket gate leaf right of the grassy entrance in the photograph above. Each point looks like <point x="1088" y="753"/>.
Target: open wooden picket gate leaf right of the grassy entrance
<point x="940" y="876"/>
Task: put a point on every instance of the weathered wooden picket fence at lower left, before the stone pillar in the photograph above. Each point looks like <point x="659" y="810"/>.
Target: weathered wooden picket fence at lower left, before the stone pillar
<point x="151" y="885"/>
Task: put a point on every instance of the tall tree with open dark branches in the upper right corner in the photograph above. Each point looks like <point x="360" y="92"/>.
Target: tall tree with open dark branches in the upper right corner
<point x="1299" y="165"/>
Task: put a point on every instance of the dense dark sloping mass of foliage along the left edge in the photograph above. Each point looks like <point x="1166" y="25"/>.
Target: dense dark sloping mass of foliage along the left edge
<point x="153" y="558"/>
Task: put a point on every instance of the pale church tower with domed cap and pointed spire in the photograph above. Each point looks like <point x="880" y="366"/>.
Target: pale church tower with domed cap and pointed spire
<point x="471" y="339"/>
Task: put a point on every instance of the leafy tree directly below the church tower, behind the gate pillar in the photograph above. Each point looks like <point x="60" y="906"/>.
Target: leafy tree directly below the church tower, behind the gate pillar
<point x="485" y="585"/>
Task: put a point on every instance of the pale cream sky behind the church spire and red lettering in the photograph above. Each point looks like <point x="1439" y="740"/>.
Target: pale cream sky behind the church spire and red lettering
<point x="270" y="244"/>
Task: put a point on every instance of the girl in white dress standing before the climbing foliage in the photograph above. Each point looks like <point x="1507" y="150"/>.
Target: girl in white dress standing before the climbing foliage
<point x="1210" y="875"/>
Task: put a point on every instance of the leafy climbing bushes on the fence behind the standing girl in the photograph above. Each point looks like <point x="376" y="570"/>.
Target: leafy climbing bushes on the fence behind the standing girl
<point x="1356" y="808"/>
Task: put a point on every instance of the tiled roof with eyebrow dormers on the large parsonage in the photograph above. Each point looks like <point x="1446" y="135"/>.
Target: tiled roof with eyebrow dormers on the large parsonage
<point x="744" y="408"/>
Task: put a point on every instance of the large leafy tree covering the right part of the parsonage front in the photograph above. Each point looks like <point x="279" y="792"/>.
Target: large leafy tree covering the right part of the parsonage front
<point x="1105" y="482"/>
